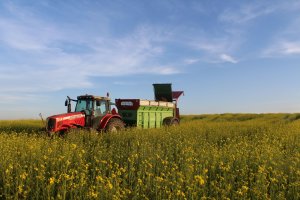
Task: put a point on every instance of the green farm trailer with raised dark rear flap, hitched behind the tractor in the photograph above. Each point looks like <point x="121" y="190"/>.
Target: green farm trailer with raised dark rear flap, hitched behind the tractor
<point x="151" y="113"/>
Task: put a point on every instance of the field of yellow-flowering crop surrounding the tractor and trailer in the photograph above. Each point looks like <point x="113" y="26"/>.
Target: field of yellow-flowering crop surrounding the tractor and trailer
<point x="228" y="156"/>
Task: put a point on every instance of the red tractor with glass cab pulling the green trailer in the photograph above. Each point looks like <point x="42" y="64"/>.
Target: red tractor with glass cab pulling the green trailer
<point x="92" y="112"/>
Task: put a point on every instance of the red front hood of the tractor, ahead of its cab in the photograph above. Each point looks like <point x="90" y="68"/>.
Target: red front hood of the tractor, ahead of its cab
<point x="65" y="121"/>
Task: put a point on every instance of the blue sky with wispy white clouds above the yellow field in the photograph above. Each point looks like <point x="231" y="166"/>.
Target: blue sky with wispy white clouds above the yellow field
<point x="228" y="56"/>
